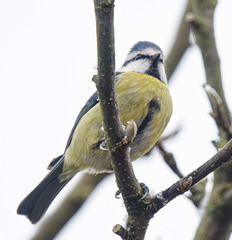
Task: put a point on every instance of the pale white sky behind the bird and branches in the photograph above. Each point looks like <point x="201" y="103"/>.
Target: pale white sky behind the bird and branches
<point x="47" y="59"/>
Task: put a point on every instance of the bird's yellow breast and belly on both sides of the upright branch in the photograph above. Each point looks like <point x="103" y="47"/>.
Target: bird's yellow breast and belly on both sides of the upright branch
<point x="135" y="91"/>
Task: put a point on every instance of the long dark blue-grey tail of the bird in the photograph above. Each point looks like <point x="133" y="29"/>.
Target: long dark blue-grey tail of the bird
<point x="37" y="202"/>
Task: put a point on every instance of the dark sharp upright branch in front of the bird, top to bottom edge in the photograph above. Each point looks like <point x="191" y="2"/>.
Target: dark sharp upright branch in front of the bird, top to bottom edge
<point x="117" y="142"/>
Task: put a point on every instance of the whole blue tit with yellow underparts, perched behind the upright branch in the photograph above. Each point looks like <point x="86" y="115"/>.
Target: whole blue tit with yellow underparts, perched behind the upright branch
<point x="143" y="96"/>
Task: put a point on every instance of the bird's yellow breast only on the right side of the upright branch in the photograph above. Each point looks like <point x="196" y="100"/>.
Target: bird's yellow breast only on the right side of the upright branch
<point x="133" y="104"/>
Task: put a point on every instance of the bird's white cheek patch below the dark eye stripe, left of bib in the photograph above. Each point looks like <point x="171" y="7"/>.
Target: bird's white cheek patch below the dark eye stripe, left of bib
<point x="140" y="66"/>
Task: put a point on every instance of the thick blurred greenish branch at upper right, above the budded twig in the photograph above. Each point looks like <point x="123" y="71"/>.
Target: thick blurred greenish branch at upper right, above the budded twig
<point x="201" y="20"/>
